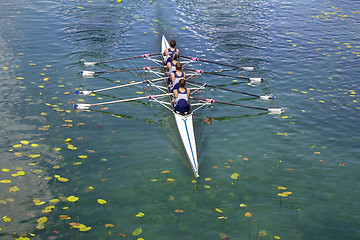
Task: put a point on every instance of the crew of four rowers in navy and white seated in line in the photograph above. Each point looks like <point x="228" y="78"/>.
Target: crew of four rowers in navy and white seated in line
<point x="176" y="78"/>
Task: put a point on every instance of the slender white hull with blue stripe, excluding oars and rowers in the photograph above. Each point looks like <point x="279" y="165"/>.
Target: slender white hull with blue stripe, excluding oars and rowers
<point x="184" y="123"/>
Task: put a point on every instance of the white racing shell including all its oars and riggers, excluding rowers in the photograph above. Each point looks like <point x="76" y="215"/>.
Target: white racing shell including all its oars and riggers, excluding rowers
<point x="184" y="120"/>
